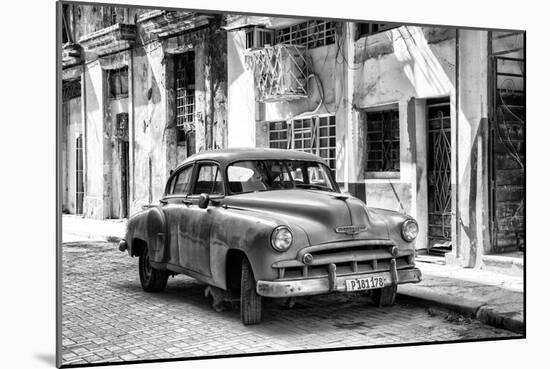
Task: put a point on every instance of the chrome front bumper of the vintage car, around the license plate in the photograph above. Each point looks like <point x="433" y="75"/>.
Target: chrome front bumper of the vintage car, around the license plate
<point x="332" y="283"/>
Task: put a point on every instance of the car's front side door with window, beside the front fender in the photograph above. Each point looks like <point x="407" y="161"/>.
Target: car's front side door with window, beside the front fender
<point x="194" y="243"/>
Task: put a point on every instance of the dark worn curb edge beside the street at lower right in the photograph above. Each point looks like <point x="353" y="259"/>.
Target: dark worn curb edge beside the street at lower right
<point x="469" y="308"/>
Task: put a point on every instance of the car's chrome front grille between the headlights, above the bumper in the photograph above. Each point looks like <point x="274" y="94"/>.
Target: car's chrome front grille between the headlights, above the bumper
<point x="348" y="260"/>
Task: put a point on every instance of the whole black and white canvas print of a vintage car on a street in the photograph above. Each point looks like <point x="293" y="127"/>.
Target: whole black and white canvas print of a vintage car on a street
<point x="244" y="183"/>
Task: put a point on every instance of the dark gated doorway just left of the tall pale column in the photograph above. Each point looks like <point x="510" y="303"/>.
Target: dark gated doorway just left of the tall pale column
<point x="439" y="176"/>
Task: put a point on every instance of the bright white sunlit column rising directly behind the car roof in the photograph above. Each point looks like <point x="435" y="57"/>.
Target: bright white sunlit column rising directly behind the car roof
<point x="241" y="128"/>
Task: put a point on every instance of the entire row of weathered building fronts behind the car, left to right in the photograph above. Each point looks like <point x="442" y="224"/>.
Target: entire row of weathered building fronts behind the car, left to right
<point x="429" y="121"/>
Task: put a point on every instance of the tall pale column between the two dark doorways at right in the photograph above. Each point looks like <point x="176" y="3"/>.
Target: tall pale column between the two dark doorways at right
<point x="471" y="151"/>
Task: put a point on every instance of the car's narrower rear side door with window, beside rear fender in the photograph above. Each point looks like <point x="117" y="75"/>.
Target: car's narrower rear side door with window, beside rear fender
<point x="174" y="207"/>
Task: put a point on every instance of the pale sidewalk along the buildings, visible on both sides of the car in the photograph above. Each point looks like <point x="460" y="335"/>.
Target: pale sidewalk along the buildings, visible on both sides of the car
<point x="493" y="298"/>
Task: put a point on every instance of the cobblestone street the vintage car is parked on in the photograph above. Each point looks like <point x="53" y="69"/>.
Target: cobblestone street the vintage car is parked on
<point x="107" y="317"/>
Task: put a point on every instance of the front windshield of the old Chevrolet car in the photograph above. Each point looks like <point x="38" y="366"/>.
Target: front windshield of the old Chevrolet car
<point x="267" y="175"/>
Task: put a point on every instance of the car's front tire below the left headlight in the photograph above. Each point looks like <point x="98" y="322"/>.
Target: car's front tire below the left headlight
<point x="251" y="302"/>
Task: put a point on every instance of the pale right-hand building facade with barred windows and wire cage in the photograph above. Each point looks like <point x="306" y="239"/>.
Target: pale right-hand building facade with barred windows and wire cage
<point x="424" y="120"/>
